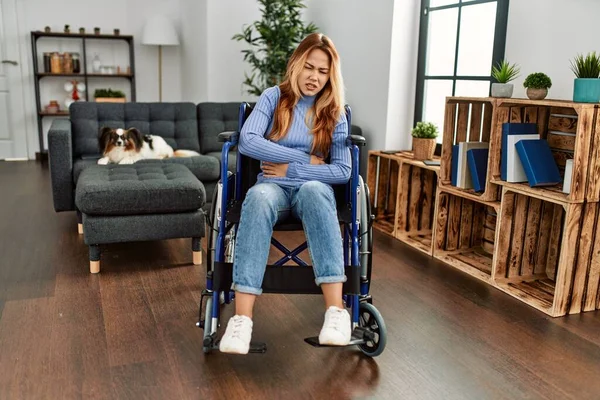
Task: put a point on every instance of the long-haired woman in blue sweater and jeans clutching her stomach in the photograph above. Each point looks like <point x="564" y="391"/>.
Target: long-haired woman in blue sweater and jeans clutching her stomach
<point x="292" y="129"/>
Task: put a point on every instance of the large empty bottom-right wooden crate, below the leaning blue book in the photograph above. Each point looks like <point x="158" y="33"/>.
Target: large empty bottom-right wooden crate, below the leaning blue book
<point x="548" y="253"/>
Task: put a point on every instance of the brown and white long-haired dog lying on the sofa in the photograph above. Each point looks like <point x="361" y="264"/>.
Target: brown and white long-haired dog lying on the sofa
<point x="126" y="146"/>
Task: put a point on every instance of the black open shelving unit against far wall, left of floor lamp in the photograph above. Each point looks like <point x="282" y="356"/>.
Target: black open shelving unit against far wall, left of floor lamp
<point x="84" y="74"/>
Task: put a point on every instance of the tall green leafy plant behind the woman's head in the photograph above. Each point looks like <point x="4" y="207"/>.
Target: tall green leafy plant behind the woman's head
<point x="272" y="41"/>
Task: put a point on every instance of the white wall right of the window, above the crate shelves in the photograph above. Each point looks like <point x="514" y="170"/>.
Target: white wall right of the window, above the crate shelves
<point x="544" y="35"/>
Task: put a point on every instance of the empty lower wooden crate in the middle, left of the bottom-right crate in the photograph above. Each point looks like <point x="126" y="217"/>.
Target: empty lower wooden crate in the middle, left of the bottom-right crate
<point x="465" y="233"/>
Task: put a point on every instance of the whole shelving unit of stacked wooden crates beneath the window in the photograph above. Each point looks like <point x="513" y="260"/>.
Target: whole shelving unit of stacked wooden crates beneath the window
<point x="539" y="245"/>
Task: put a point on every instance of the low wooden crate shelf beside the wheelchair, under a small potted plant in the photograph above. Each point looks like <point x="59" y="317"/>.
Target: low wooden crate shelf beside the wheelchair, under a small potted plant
<point x="410" y="187"/>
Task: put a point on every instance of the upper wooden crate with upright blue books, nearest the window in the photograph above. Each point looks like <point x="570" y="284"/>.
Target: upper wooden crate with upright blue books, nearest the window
<point x="468" y="119"/>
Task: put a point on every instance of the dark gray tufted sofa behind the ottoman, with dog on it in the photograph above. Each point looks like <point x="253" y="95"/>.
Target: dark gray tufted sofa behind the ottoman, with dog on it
<point x="73" y="142"/>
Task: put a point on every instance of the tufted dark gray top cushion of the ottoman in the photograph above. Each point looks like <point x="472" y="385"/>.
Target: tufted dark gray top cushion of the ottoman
<point x="138" y="189"/>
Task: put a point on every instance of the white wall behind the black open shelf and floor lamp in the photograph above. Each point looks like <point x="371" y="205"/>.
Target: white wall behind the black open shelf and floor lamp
<point x="129" y="17"/>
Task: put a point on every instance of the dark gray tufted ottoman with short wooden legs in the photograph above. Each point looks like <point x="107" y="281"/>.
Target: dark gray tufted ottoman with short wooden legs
<point x="126" y="203"/>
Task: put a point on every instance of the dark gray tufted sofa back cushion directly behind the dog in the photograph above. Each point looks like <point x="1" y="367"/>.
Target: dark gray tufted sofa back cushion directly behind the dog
<point x="175" y="122"/>
